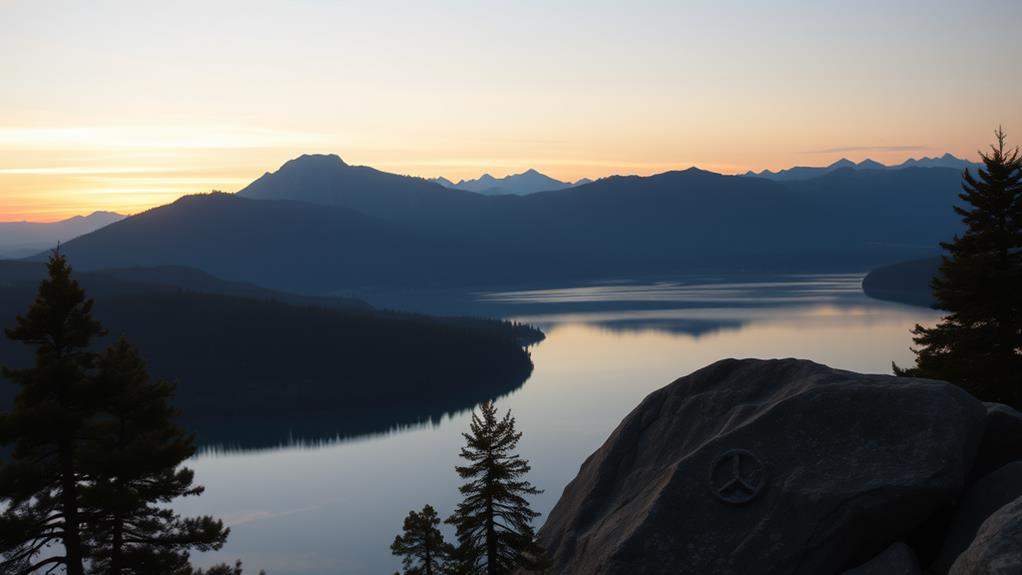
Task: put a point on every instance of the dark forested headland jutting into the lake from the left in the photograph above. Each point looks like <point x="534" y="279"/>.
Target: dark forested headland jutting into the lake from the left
<point x="256" y="363"/>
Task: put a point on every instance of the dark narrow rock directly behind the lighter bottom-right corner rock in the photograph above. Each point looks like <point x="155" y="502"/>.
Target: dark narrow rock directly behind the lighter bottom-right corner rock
<point x="982" y="501"/>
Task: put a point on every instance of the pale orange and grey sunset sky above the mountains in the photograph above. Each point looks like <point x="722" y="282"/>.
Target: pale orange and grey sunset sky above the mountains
<point x="127" y="106"/>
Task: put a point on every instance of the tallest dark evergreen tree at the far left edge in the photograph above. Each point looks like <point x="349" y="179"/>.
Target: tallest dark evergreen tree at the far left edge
<point x="40" y="486"/>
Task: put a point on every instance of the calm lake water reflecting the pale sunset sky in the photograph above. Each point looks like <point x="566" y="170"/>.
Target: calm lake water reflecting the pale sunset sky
<point x="336" y="508"/>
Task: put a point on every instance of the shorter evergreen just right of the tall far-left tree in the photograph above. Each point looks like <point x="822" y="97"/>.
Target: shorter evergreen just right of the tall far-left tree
<point x="134" y="463"/>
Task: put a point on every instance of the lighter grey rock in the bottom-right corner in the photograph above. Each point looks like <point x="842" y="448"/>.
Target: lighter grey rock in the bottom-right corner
<point x="998" y="548"/>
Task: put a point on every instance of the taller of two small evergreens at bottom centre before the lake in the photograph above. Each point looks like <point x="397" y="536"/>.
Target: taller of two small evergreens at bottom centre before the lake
<point x="494" y="520"/>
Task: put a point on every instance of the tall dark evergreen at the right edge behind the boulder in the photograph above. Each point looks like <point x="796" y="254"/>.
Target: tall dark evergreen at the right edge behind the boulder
<point x="979" y="346"/>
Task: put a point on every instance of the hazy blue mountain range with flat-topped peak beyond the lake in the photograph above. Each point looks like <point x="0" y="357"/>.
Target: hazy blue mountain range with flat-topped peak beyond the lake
<point x="320" y="226"/>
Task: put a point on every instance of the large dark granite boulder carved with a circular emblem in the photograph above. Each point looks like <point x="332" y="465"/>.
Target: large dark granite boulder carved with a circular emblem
<point x="752" y="466"/>
